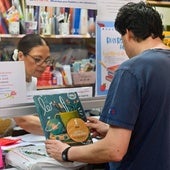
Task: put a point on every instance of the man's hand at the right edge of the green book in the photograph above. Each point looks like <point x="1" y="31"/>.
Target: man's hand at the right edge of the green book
<point x="97" y="127"/>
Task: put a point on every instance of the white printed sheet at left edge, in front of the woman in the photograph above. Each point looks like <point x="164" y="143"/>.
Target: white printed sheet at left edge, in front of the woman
<point x="12" y="83"/>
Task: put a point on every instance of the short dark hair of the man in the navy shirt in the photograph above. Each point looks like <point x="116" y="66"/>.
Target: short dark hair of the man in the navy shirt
<point x="141" y="19"/>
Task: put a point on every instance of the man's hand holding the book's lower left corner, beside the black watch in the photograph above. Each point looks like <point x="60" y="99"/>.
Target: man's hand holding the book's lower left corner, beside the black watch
<point x="55" y="148"/>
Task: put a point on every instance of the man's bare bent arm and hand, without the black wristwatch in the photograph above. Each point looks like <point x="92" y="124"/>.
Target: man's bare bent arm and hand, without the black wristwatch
<point x="112" y="147"/>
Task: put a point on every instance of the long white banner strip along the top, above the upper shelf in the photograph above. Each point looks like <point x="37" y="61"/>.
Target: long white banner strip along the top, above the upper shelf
<point x="87" y="4"/>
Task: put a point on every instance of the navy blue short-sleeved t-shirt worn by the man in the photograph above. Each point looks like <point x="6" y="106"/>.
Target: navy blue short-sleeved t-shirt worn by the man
<point x="139" y="99"/>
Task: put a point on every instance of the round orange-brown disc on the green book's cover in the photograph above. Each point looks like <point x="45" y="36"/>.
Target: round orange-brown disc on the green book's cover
<point x="77" y="130"/>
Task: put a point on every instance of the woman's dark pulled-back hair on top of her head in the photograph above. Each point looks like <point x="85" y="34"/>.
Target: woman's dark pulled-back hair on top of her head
<point x="30" y="41"/>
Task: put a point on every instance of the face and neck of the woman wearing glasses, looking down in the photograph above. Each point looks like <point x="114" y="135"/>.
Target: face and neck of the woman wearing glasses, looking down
<point x="36" y="61"/>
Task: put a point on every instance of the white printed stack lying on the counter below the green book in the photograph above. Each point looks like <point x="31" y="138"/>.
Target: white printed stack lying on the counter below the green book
<point x="36" y="158"/>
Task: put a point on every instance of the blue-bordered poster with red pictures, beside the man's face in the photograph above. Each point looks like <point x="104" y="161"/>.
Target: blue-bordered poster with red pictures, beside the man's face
<point x="110" y="54"/>
